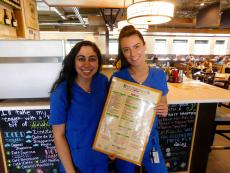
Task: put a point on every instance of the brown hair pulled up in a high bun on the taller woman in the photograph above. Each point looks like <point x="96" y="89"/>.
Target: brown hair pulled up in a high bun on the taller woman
<point x="127" y="31"/>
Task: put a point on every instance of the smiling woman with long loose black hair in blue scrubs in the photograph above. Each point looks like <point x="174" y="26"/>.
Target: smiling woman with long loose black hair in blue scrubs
<point x="76" y="103"/>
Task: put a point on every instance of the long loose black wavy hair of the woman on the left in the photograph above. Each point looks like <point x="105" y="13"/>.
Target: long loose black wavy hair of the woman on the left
<point x="68" y="72"/>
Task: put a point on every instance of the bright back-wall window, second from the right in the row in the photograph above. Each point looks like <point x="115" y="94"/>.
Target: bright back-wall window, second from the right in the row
<point x="201" y="47"/>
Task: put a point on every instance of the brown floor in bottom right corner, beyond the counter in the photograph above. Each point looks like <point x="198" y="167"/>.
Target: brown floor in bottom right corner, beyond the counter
<point x="219" y="160"/>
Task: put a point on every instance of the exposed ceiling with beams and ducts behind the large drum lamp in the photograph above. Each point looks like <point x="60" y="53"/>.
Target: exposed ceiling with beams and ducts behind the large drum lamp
<point x="85" y="15"/>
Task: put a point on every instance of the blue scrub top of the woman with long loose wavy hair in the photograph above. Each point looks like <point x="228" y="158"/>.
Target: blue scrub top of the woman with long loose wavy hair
<point x="81" y="117"/>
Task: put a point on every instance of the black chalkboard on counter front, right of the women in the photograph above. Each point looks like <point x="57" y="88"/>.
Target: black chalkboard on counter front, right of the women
<point x="176" y="132"/>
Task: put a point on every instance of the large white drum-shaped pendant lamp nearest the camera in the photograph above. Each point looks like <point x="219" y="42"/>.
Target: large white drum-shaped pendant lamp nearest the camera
<point x="150" y="12"/>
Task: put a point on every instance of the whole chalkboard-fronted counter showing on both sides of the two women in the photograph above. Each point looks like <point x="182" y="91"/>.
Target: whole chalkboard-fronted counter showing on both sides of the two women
<point x="185" y="135"/>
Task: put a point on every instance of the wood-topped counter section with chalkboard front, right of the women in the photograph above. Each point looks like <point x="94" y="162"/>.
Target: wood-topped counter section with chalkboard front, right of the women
<point x="204" y="98"/>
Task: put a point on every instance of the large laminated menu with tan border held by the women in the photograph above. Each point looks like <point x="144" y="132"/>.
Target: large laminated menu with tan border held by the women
<point x="127" y="120"/>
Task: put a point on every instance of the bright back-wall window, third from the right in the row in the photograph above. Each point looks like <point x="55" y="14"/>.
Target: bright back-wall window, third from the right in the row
<point x="180" y="46"/>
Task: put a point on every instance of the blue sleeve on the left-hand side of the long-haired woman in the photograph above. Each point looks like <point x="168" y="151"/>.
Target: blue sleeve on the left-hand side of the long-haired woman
<point x="58" y="106"/>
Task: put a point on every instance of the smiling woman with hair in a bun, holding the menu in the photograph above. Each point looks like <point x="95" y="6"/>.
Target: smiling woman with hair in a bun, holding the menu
<point x="134" y="68"/>
